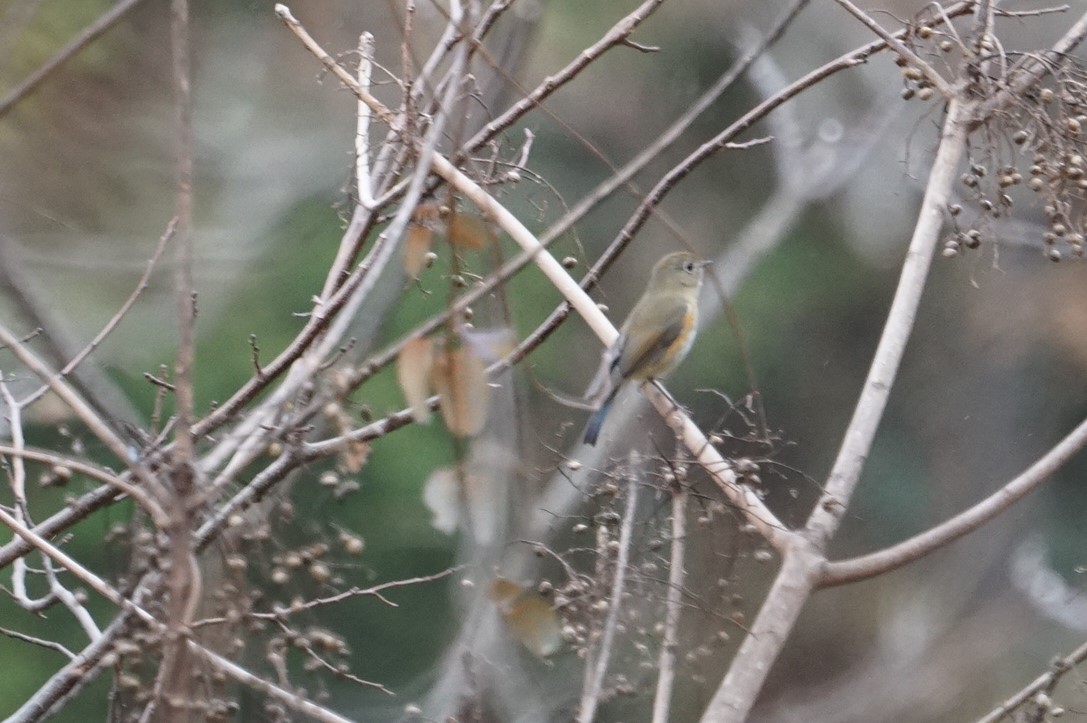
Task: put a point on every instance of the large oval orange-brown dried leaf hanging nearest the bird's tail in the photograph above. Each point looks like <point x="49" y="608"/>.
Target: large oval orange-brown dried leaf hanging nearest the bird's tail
<point x="460" y="380"/>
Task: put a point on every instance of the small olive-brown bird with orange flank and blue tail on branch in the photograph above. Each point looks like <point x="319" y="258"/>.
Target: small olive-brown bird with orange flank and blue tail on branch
<point x="656" y="336"/>
